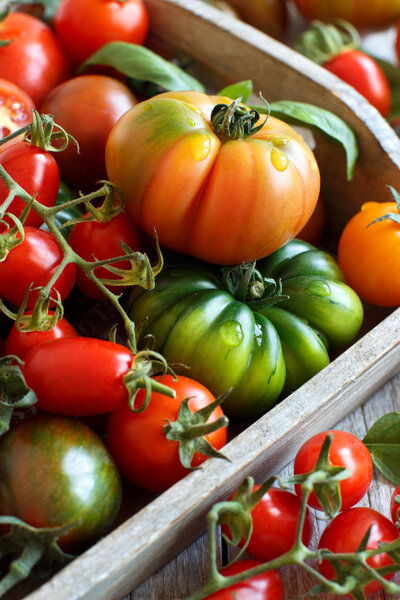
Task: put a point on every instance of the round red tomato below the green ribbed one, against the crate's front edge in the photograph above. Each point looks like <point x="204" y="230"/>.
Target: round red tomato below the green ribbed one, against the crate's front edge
<point x="138" y="443"/>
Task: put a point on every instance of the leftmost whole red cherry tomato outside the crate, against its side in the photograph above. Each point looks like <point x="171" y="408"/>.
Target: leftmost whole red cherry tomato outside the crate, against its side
<point x="275" y="520"/>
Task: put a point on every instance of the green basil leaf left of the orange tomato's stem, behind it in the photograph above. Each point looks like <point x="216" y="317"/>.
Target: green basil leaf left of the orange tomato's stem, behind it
<point x="139" y="62"/>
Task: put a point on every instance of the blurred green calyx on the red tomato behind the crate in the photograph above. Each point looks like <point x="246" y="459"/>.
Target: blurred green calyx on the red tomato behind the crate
<point x="322" y="42"/>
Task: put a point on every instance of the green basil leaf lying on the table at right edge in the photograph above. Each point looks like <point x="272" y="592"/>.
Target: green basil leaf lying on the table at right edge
<point x="383" y="442"/>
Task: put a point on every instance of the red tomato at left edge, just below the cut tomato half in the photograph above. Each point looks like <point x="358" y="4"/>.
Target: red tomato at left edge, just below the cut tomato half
<point x="36" y="171"/>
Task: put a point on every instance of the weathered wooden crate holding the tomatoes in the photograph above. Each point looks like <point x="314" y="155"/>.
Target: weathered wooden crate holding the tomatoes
<point x="225" y="51"/>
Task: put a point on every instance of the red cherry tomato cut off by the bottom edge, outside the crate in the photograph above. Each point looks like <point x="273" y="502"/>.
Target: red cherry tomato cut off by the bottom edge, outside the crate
<point x="266" y="586"/>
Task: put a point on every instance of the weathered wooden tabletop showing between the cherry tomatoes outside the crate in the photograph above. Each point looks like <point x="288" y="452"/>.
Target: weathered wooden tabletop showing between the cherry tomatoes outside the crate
<point x="189" y="570"/>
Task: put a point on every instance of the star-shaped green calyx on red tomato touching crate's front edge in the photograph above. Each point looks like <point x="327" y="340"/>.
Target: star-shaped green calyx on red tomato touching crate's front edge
<point x="190" y="428"/>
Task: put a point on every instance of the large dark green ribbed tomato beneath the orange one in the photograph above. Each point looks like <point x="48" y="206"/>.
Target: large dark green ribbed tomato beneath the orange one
<point x="230" y="338"/>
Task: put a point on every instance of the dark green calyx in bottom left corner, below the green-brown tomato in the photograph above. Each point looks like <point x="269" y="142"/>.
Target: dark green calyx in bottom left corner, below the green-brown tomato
<point x="33" y="548"/>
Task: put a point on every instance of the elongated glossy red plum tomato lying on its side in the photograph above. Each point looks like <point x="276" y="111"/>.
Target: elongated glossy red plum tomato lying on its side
<point x="78" y="376"/>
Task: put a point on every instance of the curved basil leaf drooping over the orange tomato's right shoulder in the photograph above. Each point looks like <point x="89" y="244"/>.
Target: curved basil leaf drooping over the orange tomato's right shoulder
<point x="324" y="121"/>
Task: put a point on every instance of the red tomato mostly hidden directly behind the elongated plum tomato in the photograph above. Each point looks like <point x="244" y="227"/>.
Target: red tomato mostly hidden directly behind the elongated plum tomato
<point x="19" y="342"/>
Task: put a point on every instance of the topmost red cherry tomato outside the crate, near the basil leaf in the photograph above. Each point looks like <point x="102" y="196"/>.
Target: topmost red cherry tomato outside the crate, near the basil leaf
<point x="346" y="451"/>
